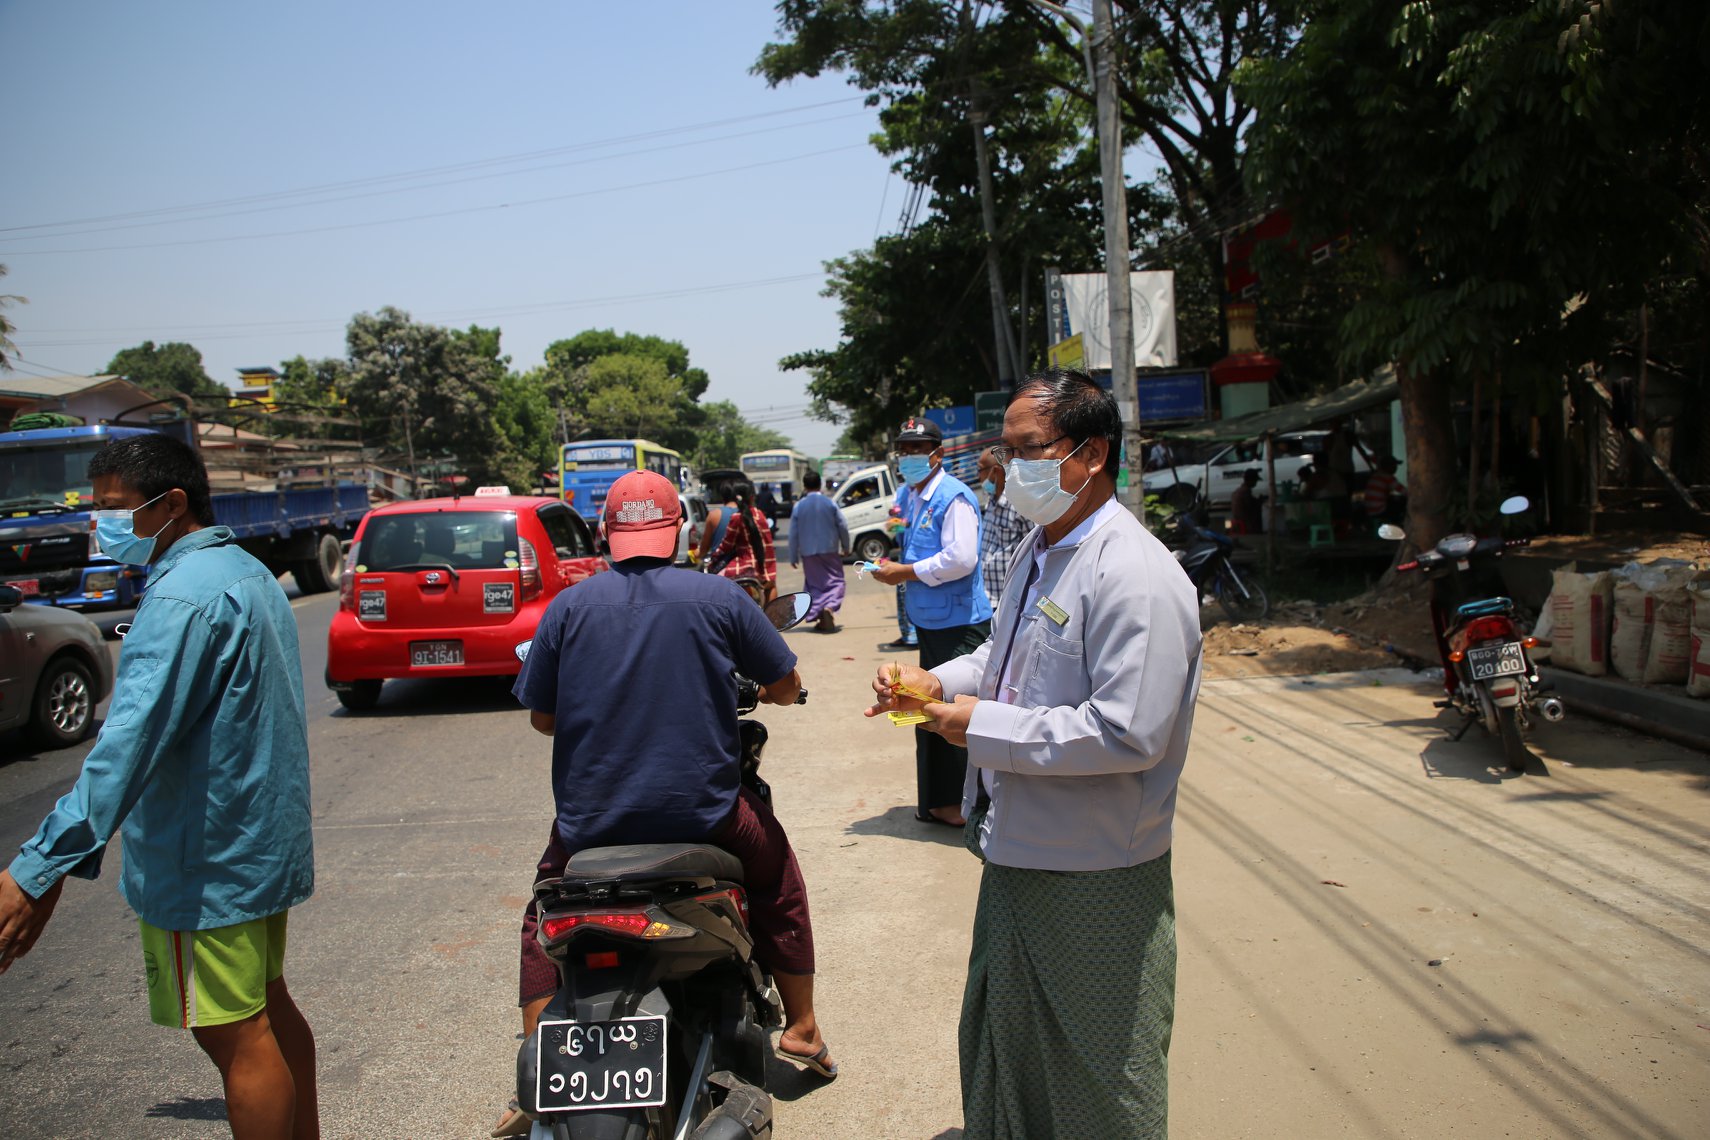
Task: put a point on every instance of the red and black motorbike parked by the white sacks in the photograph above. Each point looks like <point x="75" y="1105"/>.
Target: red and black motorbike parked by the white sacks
<point x="1489" y="671"/>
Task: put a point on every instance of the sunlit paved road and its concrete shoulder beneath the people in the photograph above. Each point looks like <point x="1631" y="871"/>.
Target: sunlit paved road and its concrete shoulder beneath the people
<point x="1381" y="934"/>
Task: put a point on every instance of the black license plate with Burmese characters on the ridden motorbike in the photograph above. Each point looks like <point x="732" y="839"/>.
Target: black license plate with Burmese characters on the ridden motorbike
<point x="618" y="1064"/>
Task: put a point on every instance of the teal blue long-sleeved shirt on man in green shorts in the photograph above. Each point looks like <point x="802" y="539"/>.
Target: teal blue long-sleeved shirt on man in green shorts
<point x="204" y="755"/>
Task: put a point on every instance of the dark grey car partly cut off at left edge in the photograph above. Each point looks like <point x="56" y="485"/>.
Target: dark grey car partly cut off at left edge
<point x="54" y="671"/>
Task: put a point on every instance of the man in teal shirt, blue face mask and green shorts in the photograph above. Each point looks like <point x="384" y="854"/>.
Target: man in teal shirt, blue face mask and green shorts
<point x="204" y="763"/>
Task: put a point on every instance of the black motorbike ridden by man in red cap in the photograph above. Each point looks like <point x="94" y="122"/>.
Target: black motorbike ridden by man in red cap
<point x="661" y="1023"/>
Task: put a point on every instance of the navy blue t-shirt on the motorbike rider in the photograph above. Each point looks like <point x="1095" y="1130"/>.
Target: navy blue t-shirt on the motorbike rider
<point x="637" y="669"/>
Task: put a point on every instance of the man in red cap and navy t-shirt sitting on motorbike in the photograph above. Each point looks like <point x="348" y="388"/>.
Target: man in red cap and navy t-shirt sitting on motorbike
<point x="634" y="681"/>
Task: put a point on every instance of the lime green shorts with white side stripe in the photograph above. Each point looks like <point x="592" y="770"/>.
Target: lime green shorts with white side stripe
<point x="213" y="977"/>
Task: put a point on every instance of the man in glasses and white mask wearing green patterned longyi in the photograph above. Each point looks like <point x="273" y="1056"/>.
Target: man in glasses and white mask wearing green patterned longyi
<point x="1076" y="715"/>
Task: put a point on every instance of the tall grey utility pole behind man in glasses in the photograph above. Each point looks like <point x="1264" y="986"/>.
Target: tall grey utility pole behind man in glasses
<point x="1123" y="382"/>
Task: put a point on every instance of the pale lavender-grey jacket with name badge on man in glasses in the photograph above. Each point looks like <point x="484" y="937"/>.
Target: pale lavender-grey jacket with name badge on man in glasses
<point x="1085" y="763"/>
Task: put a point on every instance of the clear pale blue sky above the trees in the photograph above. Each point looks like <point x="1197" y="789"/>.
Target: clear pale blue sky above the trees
<point x="545" y="168"/>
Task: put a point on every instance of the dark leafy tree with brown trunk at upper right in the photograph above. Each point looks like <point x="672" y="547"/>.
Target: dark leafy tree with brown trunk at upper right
<point x="1516" y="170"/>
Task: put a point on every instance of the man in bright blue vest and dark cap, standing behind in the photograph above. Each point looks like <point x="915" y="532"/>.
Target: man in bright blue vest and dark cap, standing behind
<point x="945" y="597"/>
